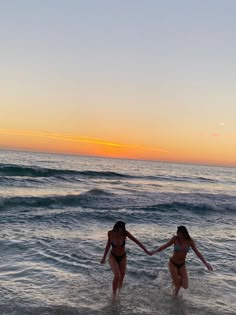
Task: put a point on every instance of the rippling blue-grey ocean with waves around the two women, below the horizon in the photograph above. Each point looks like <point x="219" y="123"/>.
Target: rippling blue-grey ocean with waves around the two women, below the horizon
<point x="55" y="211"/>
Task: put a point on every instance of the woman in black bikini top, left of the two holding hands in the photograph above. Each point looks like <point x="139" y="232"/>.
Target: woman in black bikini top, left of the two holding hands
<point x="117" y="257"/>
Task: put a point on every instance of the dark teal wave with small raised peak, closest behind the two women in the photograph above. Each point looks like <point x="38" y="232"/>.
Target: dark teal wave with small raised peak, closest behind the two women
<point x="99" y="199"/>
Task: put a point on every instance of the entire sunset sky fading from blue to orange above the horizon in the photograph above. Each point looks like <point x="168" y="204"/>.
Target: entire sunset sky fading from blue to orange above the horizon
<point x="135" y="79"/>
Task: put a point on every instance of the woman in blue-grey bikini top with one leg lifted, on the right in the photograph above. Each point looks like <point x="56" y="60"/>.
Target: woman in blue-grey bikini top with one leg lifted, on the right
<point x="182" y="244"/>
